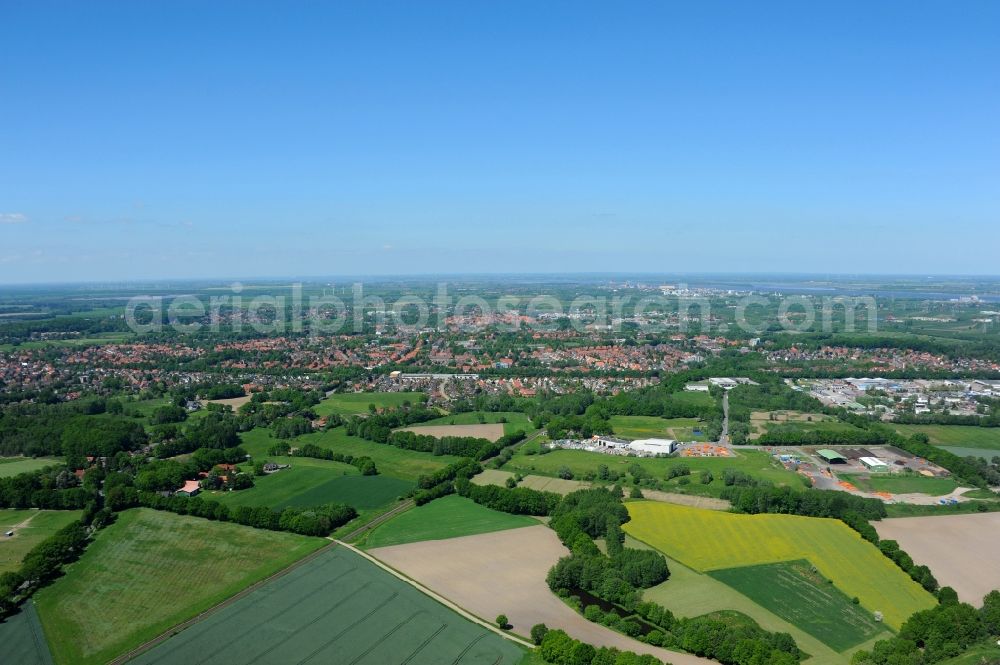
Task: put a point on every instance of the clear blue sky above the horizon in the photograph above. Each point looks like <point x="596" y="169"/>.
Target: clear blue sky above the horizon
<point x="194" y="139"/>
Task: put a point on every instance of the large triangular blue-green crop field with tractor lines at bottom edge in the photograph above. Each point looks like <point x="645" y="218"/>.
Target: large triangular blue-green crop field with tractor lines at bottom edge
<point x="336" y="608"/>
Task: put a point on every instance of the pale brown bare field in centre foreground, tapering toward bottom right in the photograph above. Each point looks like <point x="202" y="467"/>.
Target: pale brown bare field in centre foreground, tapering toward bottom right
<point x="504" y="573"/>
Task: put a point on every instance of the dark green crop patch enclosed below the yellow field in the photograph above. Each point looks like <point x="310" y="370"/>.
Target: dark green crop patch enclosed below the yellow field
<point x="804" y="598"/>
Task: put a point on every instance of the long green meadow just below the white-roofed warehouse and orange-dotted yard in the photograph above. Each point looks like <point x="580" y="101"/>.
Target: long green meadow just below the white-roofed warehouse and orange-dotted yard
<point x="582" y="463"/>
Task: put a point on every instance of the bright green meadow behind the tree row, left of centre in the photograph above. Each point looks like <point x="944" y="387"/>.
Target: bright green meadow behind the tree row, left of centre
<point x="391" y="461"/>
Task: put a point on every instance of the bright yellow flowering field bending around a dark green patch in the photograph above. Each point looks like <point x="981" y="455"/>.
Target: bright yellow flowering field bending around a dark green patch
<point x="710" y="540"/>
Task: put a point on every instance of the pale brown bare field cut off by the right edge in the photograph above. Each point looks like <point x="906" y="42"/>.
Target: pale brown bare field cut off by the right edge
<point x="959" y="549"/>
